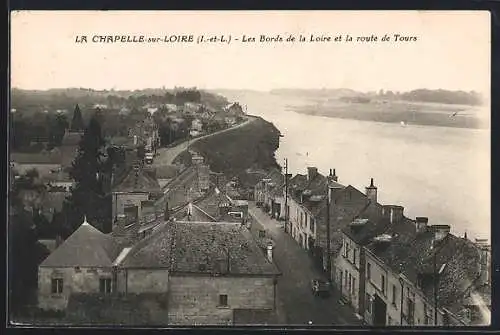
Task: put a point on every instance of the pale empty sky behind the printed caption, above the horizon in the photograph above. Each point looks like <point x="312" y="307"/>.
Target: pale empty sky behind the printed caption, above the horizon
<point x="452" y="50"/>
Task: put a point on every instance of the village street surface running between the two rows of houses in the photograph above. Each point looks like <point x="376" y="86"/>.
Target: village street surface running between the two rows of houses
<point x="294" y="286"/>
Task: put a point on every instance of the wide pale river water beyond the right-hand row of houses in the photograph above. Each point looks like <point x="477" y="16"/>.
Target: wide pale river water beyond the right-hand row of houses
<point x="439" y="172"/>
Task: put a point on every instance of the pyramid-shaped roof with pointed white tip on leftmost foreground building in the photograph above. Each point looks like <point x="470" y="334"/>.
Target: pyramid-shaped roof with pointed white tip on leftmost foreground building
<point x="86" y="247"/>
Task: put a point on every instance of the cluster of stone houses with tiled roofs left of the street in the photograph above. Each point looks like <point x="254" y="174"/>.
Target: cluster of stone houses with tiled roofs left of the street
<point x="190" y="261"/>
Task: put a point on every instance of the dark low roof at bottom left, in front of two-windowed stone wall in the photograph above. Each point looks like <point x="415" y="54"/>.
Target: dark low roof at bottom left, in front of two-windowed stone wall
<point x="117" y="309"/>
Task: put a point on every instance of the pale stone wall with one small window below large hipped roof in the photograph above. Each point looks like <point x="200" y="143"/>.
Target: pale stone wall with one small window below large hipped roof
<point x="194" y="300"/>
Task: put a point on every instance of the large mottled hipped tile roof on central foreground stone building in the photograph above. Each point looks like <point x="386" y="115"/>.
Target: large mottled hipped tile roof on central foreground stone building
<point x="197" y="247"/>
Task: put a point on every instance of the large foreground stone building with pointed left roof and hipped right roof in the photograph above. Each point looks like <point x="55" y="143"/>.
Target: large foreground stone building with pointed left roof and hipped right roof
<point x="184" y="273"/>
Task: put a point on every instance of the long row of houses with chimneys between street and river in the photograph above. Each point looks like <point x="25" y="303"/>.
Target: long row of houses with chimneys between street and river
<point x="392" y="269"/>
